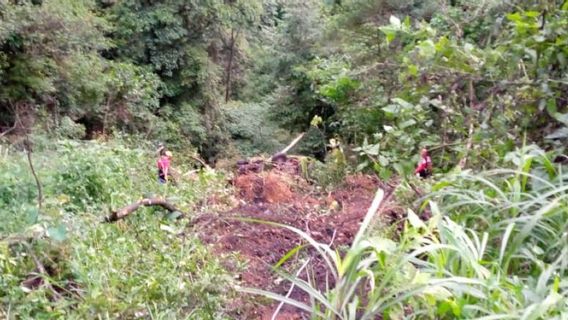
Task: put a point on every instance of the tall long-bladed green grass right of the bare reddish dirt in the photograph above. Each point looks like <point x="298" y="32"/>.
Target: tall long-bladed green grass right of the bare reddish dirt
<point x="495" y="248"/>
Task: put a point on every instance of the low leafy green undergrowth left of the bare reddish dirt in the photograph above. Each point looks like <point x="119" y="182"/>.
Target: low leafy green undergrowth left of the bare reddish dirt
<point x="143" y="267"/>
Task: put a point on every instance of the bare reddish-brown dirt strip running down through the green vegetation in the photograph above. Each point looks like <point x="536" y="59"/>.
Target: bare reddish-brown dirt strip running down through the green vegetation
<point x="282" y="196"/>
